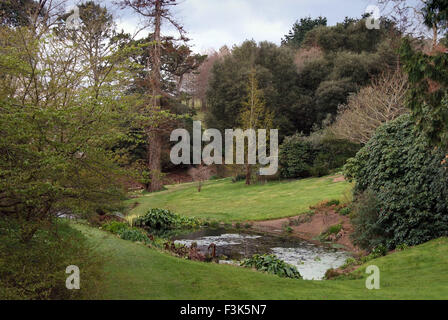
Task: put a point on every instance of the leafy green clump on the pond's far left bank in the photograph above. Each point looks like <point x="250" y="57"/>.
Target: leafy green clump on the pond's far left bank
<point x="162" y="219"/>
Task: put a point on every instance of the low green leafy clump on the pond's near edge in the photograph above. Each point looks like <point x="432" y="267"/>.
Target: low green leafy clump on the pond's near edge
<point x="271" y="264"/>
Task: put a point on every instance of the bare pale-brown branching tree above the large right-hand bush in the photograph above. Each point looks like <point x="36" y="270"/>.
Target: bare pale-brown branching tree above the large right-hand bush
<point x="372" y="106"/>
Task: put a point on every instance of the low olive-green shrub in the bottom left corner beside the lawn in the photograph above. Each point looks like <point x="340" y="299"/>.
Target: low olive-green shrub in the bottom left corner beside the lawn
<point x="36" y="269"/>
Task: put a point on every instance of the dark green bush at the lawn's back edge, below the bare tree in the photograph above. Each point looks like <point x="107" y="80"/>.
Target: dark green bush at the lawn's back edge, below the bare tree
<point x="302" y="156"/>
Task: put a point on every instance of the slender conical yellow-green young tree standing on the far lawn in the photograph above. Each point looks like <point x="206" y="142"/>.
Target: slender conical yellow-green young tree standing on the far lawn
<point x="254" y="114"/>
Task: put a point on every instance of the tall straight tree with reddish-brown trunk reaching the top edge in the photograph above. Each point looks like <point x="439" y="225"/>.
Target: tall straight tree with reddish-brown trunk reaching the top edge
<point x="155" y="11"/>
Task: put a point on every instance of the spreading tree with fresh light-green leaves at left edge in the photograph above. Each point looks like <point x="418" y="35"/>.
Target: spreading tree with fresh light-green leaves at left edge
<point x="55" y="136"/>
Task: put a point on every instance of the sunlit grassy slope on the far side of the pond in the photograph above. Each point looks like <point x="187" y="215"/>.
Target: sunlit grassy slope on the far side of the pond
<point x="225" y="201"/>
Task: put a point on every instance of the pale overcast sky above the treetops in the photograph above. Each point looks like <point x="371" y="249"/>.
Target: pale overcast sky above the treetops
<point x="214" y="23"/>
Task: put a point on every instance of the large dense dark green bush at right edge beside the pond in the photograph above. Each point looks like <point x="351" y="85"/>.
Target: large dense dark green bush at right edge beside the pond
<point x="408" y="182"/>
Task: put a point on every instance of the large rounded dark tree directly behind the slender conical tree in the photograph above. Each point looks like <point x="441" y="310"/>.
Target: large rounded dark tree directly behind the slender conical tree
<point x="276" y="76"/>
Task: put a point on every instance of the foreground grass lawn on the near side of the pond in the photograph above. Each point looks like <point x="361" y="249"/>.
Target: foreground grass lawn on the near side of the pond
<point x="134" y="271"/>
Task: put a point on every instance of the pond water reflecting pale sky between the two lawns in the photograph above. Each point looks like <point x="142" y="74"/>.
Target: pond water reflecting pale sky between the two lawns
<point x="311" y="260"/>
